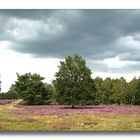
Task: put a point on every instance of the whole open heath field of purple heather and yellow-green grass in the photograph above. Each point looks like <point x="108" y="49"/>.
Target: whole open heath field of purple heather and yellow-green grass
<point x="55" y="118"/>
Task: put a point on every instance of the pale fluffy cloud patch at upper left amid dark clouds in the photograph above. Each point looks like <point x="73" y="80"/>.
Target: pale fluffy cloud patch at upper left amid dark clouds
<point x="25" y="29"/>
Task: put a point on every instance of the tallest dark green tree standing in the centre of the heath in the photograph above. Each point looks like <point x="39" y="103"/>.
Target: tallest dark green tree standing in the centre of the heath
<point x="73" y="84"/>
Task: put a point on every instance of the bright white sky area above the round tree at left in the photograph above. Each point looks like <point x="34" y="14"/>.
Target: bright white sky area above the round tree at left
<point x="12" y="62"/>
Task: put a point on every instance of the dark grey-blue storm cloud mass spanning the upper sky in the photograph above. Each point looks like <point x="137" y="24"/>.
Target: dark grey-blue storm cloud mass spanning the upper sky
<point x="94" y="34"/>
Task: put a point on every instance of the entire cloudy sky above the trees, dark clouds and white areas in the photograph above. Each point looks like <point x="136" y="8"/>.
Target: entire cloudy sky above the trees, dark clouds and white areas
<point x="36" y="40"/>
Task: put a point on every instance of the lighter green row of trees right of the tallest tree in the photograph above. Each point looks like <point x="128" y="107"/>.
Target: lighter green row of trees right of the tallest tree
<point x="111" y="91"/>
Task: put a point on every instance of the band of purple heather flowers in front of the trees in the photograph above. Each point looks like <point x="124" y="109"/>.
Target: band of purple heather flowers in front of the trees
<point x="67" y="110"/>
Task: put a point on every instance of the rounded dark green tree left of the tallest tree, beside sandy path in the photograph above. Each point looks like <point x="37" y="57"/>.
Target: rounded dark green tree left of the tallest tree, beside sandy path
<point x="31" y="89"/>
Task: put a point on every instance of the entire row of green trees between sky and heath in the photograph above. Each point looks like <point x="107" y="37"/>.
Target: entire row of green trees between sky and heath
<point x="74" y="86"/>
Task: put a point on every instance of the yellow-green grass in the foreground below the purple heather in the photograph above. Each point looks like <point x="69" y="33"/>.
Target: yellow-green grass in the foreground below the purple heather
<point x="10" y="121"/>
